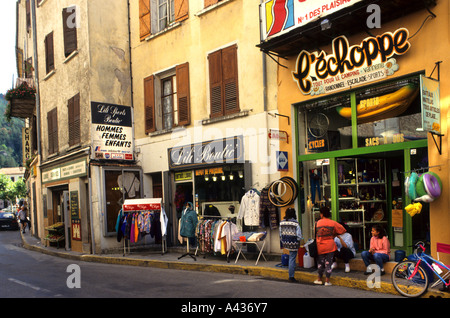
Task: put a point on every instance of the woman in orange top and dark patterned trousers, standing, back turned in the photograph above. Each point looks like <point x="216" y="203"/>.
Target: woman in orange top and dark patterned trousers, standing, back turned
<point x="326" y="231"/>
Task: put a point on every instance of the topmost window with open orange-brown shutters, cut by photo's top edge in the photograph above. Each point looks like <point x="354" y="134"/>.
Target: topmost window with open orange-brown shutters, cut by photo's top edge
<point x="157" y="15"/>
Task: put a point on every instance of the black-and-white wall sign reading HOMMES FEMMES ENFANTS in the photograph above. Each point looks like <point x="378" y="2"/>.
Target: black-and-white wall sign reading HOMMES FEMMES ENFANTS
<point x="112" y="132"/>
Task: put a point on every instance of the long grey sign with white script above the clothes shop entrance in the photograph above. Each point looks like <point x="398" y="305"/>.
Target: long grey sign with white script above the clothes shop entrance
<point x="227" y="150"/>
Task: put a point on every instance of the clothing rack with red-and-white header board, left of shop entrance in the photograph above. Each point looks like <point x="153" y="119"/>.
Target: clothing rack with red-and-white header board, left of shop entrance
<point x="144" y="205"/>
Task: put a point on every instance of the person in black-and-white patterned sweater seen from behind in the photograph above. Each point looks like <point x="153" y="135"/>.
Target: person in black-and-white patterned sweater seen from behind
<point x="290" y="236"/>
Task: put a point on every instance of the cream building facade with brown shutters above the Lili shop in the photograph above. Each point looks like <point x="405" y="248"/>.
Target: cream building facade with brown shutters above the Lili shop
<point x="204" y="105"/>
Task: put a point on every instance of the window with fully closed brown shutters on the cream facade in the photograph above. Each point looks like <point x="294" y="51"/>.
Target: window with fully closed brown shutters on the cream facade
<point x="223" y="82"/>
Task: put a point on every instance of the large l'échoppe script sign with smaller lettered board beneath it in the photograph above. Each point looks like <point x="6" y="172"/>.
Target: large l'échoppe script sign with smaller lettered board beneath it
<point x="348" y="66"/>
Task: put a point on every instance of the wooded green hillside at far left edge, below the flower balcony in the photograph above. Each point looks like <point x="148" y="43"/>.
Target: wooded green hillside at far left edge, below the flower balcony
<point x="10" y="138"/>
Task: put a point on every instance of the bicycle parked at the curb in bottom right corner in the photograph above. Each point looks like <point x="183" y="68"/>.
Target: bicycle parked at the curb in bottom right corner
<point x="410" y="277"/>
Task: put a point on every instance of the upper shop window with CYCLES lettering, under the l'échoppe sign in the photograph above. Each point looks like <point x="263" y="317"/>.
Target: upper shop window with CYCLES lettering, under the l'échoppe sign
<point x="320" y="129"/>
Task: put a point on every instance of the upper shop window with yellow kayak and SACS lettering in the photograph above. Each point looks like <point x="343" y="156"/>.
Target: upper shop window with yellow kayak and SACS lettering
<point x="390" y="113"/>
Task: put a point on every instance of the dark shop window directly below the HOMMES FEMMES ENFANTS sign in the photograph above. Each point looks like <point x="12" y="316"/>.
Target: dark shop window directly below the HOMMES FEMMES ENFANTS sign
<point x="119" y="186"/>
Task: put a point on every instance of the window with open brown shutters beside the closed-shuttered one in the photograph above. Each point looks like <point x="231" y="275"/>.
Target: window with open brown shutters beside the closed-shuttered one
<point x="166" y="99"/>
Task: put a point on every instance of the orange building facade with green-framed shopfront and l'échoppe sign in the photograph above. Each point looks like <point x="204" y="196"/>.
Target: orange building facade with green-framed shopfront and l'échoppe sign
<point x="364" y="86"/>
